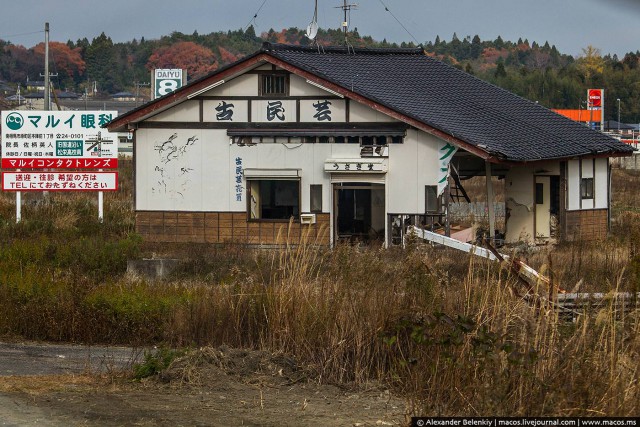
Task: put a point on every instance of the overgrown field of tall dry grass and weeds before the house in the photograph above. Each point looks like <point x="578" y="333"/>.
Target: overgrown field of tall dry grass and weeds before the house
<point x="448" y="331"/>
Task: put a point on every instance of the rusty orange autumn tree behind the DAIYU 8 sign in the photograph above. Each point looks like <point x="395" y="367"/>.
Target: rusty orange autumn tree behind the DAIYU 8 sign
<point x="196" y="59"/>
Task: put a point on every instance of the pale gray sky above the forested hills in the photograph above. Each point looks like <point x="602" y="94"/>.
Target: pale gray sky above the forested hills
<point x="613" y="26"/>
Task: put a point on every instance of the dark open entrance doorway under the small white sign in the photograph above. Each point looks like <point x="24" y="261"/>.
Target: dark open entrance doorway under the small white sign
<point x="359" y="212"/>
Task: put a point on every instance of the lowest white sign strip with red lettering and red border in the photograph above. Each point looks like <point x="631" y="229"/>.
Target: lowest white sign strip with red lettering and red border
<point x="60" y="181"/>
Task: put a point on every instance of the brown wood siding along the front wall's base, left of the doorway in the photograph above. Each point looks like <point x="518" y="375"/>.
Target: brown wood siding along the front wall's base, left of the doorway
<point x="226" y="227"/>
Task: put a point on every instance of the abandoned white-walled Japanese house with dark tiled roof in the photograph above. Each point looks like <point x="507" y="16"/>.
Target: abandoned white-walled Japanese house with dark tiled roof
<point x="356" y="142"/>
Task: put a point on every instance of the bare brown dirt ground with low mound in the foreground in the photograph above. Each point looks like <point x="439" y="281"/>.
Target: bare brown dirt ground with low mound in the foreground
<point x="217" y="387"/>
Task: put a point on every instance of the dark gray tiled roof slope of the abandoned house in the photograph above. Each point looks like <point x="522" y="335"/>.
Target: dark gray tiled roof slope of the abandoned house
<point x="442" y="97"/>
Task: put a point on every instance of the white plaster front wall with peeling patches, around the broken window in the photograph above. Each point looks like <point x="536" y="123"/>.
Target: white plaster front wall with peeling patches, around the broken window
<point x="207" y="182"/>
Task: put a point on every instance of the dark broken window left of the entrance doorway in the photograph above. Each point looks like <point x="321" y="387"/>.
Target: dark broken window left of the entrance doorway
<point x="273" y="199"/>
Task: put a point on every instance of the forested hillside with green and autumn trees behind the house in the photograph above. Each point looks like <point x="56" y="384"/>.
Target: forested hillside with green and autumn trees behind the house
<point x="534" y="71"/>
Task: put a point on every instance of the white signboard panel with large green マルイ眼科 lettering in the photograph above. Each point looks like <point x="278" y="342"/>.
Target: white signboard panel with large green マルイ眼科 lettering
<point x="58" y="134"/>
